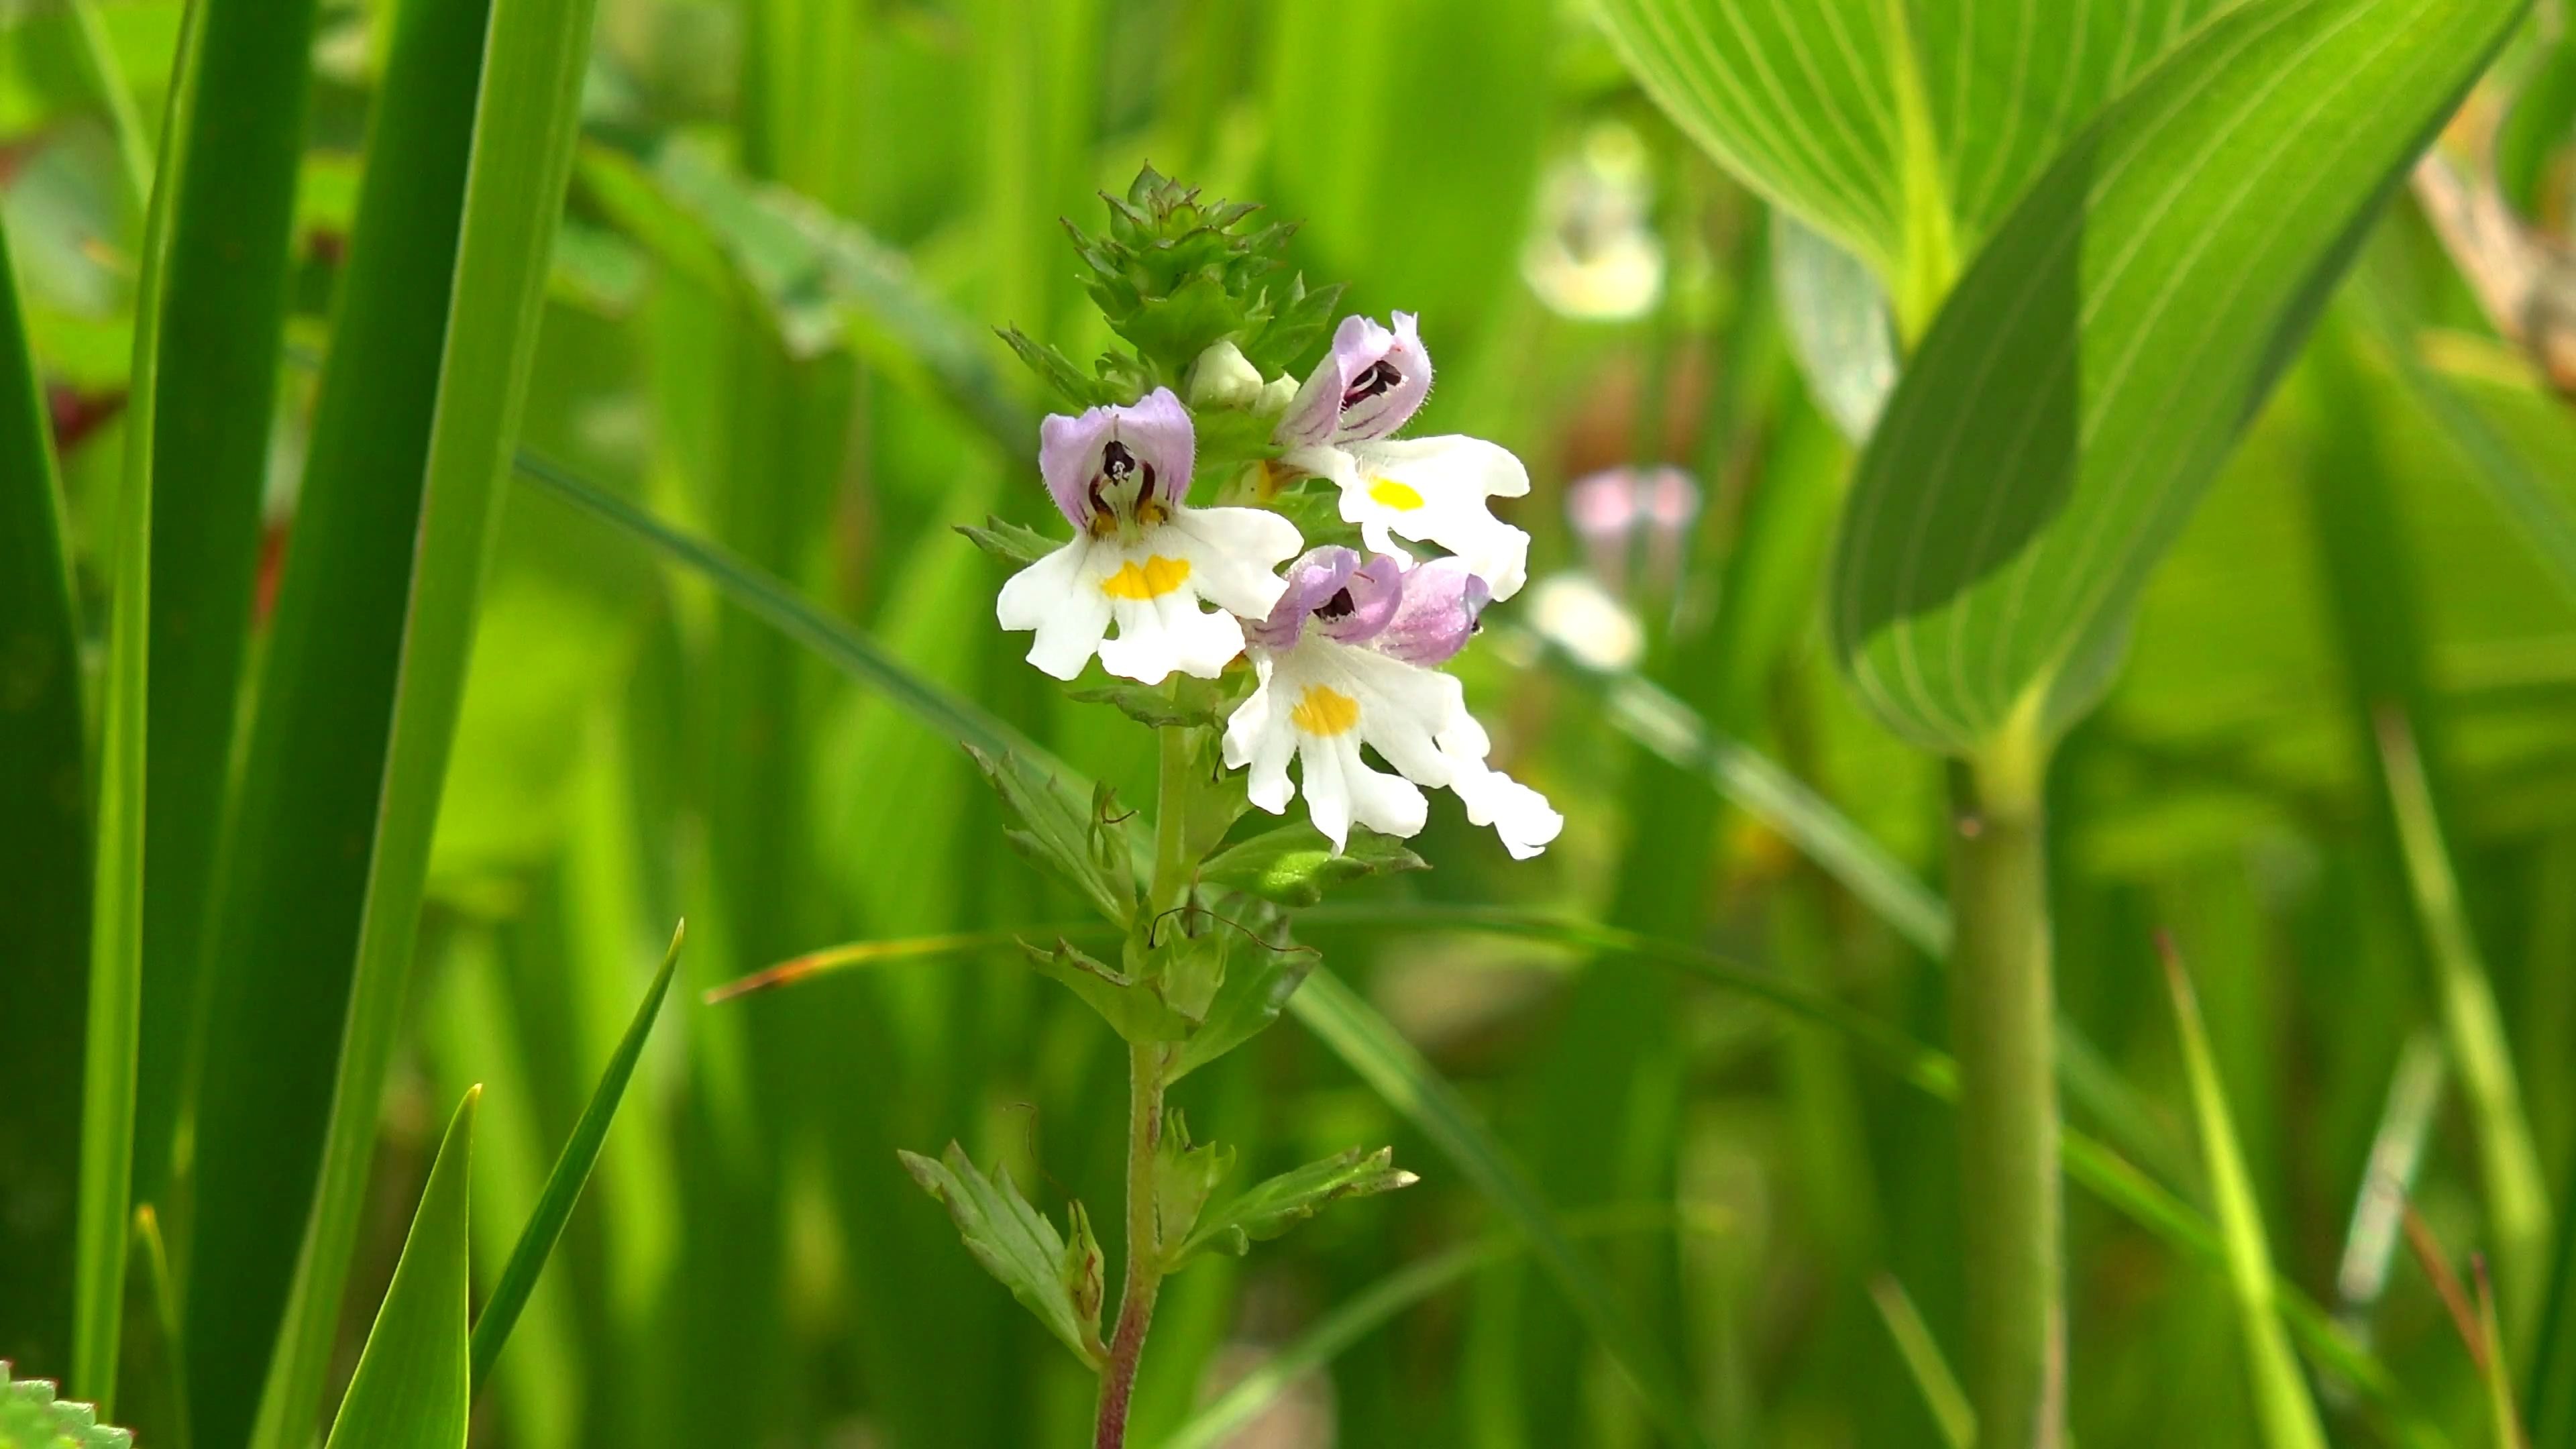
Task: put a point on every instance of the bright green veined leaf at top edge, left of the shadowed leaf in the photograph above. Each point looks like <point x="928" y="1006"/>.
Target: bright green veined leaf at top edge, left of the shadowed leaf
<point x="1900" y="128"/>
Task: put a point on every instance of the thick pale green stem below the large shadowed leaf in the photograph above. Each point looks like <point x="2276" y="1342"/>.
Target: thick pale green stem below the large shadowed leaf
<point x="2000" y="1027"/>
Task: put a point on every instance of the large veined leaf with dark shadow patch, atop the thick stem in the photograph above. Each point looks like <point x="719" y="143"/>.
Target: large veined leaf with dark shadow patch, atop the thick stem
<point x="2096" y="365"/>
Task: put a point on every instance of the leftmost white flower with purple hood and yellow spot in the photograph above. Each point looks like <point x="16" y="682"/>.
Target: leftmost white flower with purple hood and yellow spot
<point x="1140" y="556"/>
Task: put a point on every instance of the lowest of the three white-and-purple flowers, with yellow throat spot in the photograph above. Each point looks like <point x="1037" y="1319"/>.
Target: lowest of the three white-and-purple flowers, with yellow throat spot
<point x="1346" y="661"/>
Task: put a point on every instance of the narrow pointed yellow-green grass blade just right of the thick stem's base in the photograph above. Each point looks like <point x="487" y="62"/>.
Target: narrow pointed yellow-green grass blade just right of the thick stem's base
<point x="2281" y="1394"/>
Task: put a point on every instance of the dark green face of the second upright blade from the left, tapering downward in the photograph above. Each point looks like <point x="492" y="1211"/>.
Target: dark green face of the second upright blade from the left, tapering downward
<point x="223" y="316"/>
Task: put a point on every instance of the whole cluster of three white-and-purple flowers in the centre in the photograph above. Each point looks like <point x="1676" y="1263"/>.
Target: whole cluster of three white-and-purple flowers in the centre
<point x="1346" y="646"/>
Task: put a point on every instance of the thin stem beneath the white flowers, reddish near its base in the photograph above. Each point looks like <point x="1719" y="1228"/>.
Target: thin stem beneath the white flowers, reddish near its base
<point x="1148" y="1069"/>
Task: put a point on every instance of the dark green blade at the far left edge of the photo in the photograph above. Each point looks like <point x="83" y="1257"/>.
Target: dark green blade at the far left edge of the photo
<point x="45" y="865"/>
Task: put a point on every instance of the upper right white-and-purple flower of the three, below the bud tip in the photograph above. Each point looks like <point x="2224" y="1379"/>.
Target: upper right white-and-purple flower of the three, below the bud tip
<point x="1416" y="489"/>
